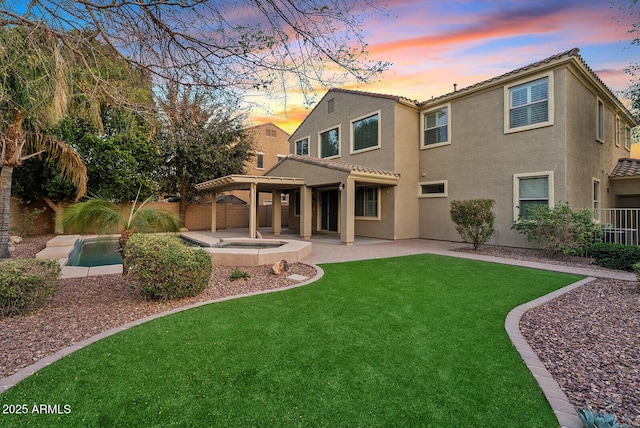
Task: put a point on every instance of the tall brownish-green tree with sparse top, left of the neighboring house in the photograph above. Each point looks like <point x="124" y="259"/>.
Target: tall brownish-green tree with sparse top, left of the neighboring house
<point x="204" y="140"/>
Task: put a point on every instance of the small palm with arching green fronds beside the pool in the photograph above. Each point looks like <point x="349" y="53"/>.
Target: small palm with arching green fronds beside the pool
<point x="105" y="216"/>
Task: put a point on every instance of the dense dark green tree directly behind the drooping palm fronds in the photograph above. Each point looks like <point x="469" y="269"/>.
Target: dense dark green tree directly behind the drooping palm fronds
<point x="121" y="160"/>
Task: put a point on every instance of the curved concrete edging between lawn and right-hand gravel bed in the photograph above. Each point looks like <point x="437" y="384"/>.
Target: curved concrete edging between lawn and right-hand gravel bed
<point x="565" y="412"/>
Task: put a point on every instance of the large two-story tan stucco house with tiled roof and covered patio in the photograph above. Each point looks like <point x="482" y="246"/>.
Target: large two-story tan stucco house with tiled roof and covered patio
<point x="388" y="167"/>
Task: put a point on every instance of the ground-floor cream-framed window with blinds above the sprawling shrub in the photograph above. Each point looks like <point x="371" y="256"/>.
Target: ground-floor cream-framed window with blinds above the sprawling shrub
<point x="531" y="189"/>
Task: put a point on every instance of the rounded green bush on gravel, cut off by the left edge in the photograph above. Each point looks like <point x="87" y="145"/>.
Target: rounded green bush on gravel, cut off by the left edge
<point x="26" y="284"/>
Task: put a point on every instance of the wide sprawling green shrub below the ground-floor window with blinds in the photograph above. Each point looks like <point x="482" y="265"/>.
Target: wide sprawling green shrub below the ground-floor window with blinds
<point x="560" y="230"/>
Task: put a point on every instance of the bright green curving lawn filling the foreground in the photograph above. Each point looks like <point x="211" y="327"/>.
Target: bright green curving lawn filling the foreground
<point x="408" y="341"/>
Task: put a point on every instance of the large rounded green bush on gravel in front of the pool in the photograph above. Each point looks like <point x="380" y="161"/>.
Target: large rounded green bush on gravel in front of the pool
<point x="162" y="267"/>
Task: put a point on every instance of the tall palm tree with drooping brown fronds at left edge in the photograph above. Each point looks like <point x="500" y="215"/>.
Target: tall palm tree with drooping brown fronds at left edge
<point x="33" y="95"/>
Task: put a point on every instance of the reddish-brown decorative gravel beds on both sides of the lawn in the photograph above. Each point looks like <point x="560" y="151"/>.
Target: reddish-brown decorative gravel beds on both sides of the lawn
<point x="589" y="338"/>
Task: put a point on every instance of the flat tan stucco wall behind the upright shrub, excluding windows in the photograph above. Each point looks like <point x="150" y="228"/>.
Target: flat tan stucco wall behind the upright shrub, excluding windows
<point x="481" y="162"/>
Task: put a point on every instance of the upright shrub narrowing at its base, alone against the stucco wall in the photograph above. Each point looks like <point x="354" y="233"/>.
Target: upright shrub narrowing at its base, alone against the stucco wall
<point x="474" y="220"/>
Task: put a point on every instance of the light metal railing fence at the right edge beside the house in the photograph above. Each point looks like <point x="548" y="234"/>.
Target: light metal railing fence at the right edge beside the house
<point x="619" y="225"/>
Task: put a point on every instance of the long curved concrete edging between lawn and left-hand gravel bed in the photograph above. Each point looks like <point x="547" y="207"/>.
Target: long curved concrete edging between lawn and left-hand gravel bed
<point x="9" y="381"/>
